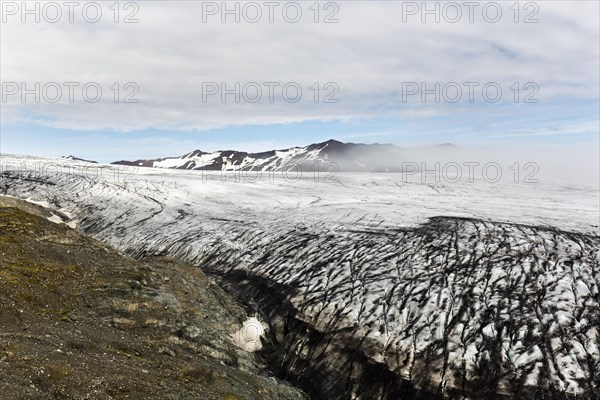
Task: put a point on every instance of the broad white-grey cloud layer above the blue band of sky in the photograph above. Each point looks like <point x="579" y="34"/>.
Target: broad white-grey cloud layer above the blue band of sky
<point x="368" y="54"/>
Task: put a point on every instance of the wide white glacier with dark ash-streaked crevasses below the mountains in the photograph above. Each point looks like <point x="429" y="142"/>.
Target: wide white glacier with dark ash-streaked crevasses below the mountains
<point x="374" y="286"/>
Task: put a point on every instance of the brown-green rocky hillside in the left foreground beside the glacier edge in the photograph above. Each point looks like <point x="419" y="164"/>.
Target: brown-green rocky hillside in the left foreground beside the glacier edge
<point x="78" y="320"/>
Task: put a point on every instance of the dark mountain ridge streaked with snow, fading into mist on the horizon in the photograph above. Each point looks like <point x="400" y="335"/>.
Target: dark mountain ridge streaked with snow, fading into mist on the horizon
<point x="329" y="155"/>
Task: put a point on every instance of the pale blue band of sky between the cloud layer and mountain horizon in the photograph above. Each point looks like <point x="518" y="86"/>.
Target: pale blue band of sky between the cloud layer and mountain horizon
<point x="557" y="123"/>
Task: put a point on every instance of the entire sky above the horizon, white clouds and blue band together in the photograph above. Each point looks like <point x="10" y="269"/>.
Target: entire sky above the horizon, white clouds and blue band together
<point x="162" y="78"/>
